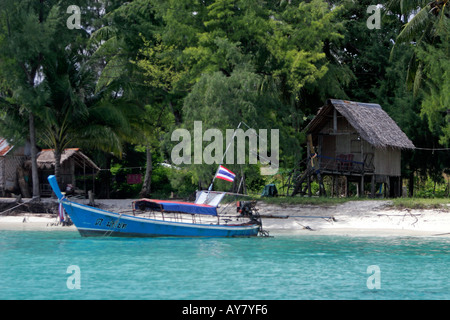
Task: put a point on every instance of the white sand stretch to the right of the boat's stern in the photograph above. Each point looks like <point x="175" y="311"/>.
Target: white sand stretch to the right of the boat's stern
<point x="369" y="217"/>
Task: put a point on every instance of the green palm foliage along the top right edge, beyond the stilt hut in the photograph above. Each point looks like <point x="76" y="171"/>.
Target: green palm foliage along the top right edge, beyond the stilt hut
<point x="427" y="32"/>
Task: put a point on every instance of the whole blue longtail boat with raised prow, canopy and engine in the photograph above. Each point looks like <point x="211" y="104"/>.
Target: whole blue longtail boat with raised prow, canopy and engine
<point x="162" y="218"/>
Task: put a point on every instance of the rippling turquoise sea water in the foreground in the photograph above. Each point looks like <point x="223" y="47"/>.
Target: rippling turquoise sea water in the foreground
<point x="34" y="265"/>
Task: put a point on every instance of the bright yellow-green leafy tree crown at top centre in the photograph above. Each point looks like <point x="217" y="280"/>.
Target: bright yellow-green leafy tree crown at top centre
<point x="282" y="43"/>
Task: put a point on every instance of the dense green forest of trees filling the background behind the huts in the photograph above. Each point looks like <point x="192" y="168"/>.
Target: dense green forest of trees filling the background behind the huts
<point x="135" y="71"/>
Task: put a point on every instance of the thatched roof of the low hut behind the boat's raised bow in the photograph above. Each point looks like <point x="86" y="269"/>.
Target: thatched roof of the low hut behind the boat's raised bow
<point x="46" y="159"/>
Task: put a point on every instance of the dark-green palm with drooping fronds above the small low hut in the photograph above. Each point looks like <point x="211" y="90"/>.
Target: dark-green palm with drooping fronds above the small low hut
<point x="74" y="114"/>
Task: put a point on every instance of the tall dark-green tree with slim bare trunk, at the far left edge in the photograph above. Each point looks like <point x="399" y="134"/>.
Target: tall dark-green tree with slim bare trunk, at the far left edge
<point x="27" y="31"/>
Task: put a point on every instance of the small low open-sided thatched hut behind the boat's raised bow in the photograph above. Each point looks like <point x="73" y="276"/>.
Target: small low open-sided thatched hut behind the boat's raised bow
<point x="73" y="163"/>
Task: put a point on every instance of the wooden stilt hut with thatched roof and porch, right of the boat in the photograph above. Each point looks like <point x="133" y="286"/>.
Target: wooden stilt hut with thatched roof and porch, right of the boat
<point x="358" y="141"/>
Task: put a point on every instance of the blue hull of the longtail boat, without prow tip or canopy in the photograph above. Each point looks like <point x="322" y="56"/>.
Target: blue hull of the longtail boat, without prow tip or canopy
<point x="96" y="222"/>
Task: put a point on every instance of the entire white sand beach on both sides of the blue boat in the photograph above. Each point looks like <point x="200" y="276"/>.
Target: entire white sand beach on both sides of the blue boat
<point x="369" y="217"/>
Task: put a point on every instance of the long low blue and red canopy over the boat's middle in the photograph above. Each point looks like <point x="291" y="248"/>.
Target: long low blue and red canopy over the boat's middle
<point x="175" y="206"/>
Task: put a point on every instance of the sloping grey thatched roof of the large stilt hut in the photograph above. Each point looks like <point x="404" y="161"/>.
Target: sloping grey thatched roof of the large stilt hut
<point x="371" y="122"/>
